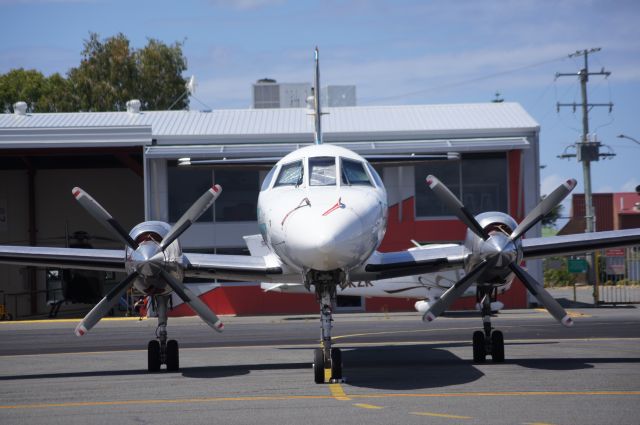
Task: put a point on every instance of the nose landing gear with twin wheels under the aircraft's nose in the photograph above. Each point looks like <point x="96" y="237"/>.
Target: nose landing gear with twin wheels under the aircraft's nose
<point x="326" y="357"/>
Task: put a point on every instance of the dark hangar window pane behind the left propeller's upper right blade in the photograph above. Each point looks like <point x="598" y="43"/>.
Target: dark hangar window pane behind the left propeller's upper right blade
<point x="185" y="186"/>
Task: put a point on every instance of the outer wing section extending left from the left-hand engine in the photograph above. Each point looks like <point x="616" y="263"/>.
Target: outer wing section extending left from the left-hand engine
<point x="70" y="258"/>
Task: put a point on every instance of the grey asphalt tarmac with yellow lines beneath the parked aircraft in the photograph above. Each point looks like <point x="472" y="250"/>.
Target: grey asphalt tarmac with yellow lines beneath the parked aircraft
<point x="398" y="370"/>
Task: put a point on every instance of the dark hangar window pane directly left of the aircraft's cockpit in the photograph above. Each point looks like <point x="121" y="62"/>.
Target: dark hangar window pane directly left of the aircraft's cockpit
<point x="239" y="198"/>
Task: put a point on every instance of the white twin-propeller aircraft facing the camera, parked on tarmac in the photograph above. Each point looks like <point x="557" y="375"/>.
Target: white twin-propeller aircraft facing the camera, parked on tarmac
<point x="322" y="213"/>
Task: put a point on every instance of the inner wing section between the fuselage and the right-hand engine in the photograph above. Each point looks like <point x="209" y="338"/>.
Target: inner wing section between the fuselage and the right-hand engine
<point x="411" y="262"/>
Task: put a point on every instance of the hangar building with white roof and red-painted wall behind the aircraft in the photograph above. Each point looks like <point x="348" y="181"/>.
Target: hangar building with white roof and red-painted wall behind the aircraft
<point x="128" y="161"/>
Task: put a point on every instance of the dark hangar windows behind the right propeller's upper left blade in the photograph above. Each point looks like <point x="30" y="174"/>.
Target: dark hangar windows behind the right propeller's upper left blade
<point x="479" y="181"/>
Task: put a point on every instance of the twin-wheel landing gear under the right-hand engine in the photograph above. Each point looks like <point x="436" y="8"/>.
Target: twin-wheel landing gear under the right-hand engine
<point x="489" y="342"/>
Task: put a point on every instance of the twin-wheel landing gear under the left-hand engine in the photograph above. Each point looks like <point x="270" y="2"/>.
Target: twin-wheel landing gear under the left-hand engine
<point x="162" y="351"/>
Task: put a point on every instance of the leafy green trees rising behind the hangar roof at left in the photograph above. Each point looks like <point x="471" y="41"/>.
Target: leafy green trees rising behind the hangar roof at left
<point x="110" y="73"/>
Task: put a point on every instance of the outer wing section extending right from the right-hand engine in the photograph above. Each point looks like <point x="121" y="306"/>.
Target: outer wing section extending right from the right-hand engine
<point x="574" y="244"/>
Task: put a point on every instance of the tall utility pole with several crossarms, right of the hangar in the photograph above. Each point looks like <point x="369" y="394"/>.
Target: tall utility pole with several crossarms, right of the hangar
<point x="587" y="150"/>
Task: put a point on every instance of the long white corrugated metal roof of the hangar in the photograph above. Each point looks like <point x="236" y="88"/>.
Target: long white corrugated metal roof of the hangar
<point x="345" y="124"/>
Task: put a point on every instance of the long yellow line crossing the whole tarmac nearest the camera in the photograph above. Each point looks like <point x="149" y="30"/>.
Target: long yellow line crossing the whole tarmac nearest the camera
<point x="319" y="397"/>
